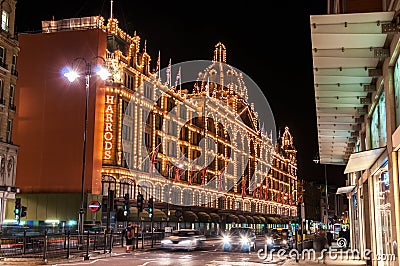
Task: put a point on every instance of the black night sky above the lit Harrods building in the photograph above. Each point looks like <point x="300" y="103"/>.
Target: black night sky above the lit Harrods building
<point x="271" y="44"/>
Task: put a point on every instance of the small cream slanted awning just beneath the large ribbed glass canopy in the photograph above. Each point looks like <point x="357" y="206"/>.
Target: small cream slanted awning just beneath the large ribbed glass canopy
<point x="360" y="161"/>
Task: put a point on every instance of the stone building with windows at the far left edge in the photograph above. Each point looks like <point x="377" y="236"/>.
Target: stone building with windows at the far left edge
<point x="9" y="49"/>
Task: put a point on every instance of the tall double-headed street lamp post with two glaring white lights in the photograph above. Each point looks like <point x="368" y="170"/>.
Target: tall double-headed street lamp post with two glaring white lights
<point x="71" y="74"/>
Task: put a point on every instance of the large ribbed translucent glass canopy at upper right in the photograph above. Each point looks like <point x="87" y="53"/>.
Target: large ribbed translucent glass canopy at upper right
<point x="344" y="52"/>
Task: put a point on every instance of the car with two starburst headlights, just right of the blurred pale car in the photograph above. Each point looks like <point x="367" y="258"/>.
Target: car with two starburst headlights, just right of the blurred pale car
<point x="242" y="238"/>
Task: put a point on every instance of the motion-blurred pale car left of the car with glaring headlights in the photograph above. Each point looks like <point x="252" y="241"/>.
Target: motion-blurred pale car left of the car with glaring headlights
<point x="183" y="239"/>
